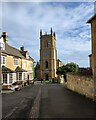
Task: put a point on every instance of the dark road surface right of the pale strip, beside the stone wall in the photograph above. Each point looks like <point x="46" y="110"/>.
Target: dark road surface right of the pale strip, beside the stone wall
<point x="59" y="102"/>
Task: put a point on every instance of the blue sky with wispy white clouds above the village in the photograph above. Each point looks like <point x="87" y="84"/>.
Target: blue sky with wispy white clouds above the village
<point x="23" y="21"/>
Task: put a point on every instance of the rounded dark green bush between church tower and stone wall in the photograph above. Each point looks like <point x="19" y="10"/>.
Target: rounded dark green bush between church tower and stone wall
<point x="70" y="67"/>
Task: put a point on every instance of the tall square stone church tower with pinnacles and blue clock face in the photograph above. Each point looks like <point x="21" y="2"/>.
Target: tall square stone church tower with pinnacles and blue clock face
<point x="48" y="55"/>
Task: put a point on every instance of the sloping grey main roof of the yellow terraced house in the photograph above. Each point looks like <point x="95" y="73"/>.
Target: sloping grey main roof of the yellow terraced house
<point x="14" y="52"/>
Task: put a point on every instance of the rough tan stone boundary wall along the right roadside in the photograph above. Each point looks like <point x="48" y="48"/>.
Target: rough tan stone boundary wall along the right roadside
<point x="81" y="84"/>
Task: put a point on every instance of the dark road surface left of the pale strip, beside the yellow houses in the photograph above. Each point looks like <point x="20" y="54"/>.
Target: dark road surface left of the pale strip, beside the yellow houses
<point x="18" y="104"/>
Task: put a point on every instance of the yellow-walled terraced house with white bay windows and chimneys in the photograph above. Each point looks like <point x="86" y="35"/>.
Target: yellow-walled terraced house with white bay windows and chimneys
<point x="16" y="64"/>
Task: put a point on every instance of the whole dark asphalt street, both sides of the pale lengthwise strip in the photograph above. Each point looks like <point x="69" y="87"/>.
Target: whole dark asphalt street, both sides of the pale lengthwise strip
<point x="55" y="102"/>
